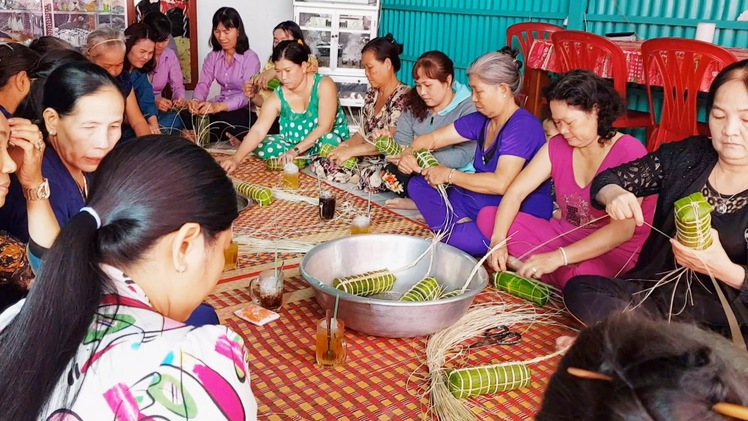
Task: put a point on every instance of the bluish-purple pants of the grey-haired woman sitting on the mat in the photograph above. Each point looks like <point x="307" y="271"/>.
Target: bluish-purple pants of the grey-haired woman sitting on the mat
<point x="465" y="203"/>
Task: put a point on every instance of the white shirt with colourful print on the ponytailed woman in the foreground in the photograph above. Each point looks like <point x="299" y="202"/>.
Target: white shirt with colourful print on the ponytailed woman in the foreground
<point x="136" y="364"/>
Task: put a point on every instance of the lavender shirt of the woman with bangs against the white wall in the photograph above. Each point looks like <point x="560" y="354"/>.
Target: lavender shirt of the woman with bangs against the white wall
<point x="230" y="77"/>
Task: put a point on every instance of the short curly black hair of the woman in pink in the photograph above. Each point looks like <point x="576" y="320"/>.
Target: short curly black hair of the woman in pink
<point x="586" y="91"/>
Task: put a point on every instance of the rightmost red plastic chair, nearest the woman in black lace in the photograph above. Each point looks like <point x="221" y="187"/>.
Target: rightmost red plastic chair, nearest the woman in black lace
<point x="681" y="64"/>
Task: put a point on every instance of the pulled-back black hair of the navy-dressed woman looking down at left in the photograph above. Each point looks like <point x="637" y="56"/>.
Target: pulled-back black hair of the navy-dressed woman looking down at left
<point x="72" y="81"/>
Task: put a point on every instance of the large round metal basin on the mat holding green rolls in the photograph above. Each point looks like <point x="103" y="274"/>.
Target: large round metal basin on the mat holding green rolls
<point x="378" y="315"/>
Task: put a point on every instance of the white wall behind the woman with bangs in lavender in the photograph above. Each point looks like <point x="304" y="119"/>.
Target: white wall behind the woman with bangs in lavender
<point x="259" y="16"/>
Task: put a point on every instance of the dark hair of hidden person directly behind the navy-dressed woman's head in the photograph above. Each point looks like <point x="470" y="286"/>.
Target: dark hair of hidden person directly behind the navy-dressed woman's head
<point x="31" y="107"/>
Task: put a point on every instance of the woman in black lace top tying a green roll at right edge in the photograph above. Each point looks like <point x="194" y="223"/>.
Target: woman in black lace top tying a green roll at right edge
<point x="718" y="168"/>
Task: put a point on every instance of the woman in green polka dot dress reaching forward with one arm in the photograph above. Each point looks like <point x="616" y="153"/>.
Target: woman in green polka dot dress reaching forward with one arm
<point x="307" y="104"/>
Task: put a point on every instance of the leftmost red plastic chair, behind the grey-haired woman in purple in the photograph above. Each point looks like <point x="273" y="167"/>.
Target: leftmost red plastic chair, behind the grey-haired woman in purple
<point x="526" y="33"/>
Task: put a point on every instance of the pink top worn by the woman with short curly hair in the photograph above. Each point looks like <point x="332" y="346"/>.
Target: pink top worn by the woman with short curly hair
<point x="574" y="200"/>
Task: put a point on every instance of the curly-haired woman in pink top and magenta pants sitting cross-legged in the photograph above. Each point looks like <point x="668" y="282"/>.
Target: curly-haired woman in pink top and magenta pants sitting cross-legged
<point x="583" y="107"/>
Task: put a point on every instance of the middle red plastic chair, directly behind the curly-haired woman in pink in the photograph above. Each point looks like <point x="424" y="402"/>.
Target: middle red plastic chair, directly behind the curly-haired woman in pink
<point x="583" y="50"/>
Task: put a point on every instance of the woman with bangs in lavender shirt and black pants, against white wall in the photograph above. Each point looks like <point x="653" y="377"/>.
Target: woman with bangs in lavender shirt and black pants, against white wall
<point x="231" y="63"/>
